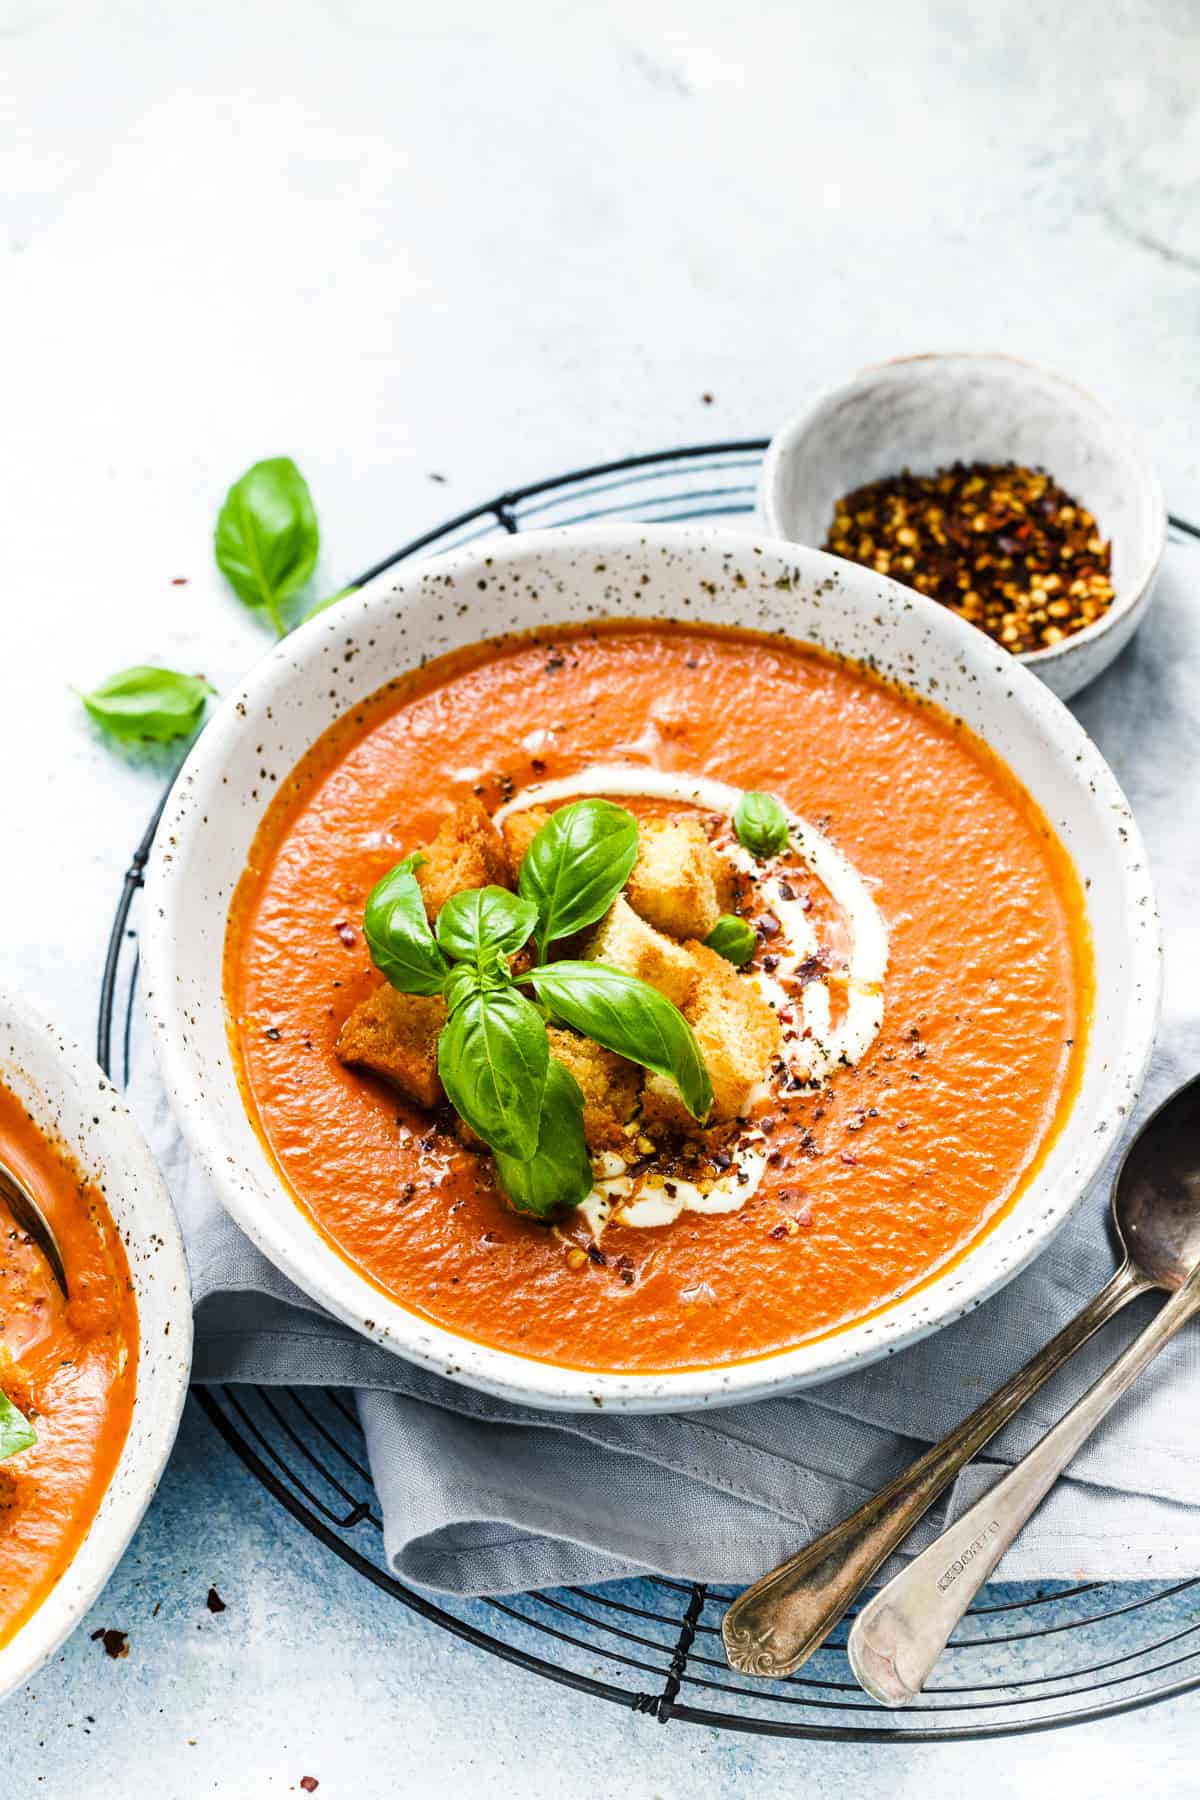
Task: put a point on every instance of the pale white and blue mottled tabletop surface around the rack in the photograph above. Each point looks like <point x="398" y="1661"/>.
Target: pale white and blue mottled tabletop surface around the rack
<point x="485" y="244"/>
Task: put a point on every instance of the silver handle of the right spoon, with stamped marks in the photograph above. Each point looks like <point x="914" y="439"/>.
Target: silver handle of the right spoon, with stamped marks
<point x="904" y="1630"/>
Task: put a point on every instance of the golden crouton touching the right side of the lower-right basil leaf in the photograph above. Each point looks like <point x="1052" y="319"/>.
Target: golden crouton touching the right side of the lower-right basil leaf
<point x="739" y="1039"/>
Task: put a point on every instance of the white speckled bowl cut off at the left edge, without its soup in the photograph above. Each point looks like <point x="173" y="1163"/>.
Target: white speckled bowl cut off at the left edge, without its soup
<point x="75" y="1102"/>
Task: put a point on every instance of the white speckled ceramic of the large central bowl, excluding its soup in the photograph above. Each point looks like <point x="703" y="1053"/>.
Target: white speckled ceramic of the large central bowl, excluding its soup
<point x="632" y="571"/>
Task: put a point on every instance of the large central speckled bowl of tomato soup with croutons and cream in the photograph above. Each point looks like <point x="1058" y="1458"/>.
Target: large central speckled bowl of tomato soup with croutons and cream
<point x="958" y="942"/>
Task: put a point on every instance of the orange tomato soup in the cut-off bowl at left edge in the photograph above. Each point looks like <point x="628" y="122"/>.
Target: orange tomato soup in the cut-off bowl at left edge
<point x="69" y="1365"/>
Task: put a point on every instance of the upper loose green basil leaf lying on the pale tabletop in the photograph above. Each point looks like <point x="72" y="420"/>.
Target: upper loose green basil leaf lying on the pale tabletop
<point x="267" y="535"/>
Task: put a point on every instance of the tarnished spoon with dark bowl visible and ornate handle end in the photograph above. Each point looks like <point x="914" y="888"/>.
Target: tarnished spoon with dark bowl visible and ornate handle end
<point x="1156" y="1207"/>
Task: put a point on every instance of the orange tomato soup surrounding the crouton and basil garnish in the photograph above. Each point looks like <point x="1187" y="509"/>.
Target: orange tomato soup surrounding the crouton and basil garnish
<point x="877" y="1176"/>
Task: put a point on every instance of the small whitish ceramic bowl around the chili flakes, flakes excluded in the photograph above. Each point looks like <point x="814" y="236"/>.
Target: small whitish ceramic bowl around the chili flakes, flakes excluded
<point x="922" y="413"/>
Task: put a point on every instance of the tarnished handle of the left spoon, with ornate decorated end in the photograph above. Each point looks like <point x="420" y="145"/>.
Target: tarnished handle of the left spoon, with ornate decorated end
<point x="778" y="1623"/>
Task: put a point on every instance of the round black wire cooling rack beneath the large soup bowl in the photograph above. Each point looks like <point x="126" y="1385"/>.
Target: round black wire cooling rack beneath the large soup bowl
<point x="1028" y="1659"/>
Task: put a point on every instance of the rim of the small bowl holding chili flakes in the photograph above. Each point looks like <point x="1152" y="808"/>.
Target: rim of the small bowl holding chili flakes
<point x="1152" y="496"/>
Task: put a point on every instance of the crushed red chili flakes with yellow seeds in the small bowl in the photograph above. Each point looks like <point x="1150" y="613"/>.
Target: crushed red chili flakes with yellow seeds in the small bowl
<point x="999" y="544"/>
